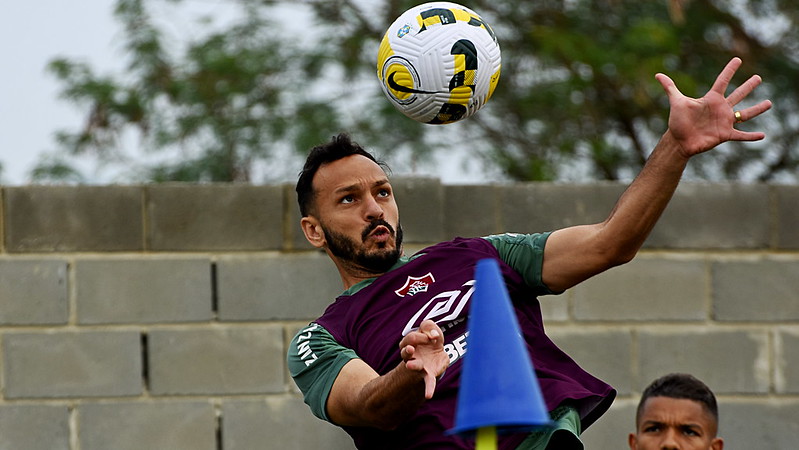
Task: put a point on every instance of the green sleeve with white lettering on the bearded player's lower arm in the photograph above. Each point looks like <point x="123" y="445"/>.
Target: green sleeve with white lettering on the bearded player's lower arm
<point x="315" y="360"/>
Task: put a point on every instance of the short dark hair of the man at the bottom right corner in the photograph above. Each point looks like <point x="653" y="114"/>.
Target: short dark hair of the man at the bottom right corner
<point x="683" y="386"/>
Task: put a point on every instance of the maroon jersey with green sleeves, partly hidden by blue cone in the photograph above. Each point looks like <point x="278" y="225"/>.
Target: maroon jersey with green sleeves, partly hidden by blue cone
<point x="369" y="320"/>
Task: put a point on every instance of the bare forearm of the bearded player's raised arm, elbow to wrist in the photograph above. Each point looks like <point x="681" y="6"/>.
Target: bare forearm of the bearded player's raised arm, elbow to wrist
<point x="644" y="201"/>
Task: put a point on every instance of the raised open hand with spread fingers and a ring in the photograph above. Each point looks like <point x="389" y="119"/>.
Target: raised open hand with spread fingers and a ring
<point x="699" y="124"/>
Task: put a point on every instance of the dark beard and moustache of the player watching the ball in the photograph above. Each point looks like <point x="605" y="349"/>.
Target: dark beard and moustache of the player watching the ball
<point x="375" y="261"/>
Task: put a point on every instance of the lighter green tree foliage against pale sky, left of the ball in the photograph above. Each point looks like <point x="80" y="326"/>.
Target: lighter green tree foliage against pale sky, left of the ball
<point x="225" y="103"/>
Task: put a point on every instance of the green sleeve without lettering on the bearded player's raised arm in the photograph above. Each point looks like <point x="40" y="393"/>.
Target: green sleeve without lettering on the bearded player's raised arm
<point x="525" y="254"/>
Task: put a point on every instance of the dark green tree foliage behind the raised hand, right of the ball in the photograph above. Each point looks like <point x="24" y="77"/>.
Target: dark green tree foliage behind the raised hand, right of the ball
<point x="577" y="97"/>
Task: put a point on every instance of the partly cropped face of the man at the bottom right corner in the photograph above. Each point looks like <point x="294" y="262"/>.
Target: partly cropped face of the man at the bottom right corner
<point x="675" y="424"/>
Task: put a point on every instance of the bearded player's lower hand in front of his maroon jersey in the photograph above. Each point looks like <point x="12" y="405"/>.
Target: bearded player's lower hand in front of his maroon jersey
<point x="423" y="350"/>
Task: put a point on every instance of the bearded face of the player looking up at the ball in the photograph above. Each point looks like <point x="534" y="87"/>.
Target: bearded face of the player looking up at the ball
<point x="358" y="214"/>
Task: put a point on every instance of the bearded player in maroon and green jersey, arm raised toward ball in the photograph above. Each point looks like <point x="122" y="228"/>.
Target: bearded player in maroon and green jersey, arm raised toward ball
<point x="383" y="361"/>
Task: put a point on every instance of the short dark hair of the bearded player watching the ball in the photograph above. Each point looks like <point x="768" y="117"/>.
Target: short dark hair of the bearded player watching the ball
<point x="339" y="147"/>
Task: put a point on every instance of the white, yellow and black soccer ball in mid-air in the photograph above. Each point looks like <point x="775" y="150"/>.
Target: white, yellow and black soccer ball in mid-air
<point x="439" y="62"/>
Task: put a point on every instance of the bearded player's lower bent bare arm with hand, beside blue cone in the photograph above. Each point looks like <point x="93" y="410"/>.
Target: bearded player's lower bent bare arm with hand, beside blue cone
<point x="361" y="397"/>
